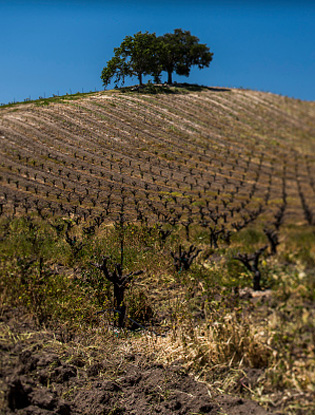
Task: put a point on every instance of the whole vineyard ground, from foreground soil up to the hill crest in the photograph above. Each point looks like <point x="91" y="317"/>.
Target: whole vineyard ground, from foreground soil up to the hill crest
<point x="198" y="204"/>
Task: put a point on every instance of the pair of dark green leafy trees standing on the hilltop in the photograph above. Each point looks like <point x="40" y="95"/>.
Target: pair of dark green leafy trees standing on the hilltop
<point x="148" y="54"/>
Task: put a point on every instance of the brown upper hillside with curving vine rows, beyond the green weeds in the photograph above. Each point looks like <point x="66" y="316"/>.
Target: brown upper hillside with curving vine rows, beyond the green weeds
<point x="193" y="148"/>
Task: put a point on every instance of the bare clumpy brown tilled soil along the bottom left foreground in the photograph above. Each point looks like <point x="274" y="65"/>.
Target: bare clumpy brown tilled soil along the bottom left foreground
<point x="44" y="373"/>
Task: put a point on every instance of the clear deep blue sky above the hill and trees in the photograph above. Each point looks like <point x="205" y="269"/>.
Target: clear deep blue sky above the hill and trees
<point x="50" y="46"/>
